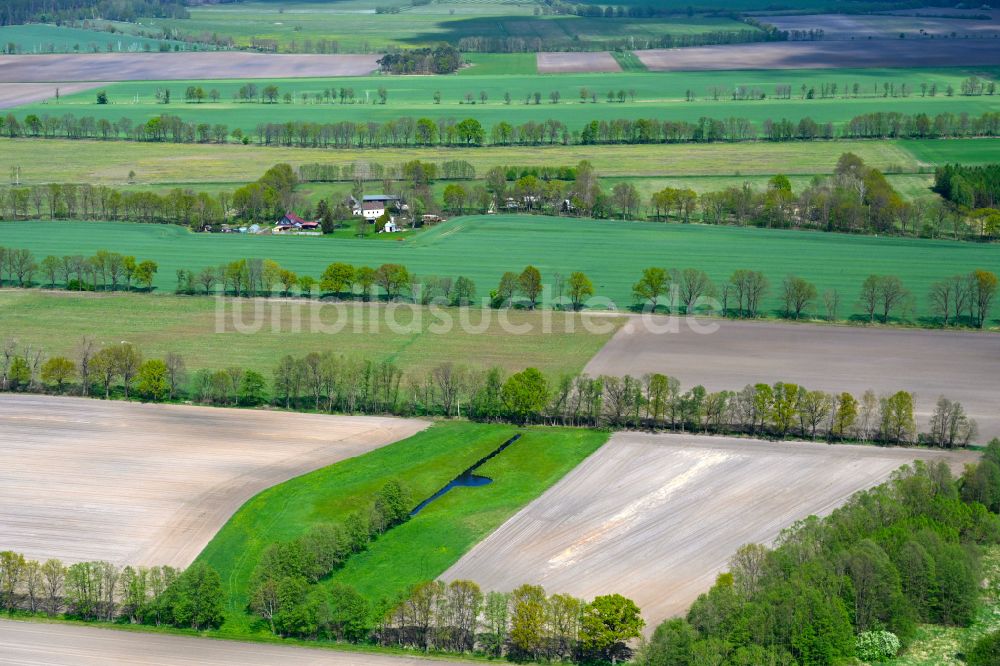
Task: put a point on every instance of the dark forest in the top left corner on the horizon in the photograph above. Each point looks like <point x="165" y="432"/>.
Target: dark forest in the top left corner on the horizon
<point x="16" y="12"/>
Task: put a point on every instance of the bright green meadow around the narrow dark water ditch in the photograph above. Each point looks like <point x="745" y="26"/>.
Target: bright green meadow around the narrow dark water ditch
<point x="422" y="548"/>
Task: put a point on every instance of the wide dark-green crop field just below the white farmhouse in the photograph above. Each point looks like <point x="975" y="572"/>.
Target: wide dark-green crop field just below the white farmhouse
<point x="612" y="253"/>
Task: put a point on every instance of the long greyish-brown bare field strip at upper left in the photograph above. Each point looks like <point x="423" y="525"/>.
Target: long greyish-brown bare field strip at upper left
<point x="173" y="66"/>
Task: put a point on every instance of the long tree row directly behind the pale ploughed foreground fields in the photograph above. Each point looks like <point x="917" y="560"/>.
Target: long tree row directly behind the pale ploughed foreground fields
<point x="329" y="382"/>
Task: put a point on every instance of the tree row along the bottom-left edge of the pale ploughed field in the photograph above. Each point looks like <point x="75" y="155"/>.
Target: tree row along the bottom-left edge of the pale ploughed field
<point x="192" y="598"/>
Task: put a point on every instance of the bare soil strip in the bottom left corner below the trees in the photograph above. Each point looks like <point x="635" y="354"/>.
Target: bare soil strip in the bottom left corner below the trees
<point x="30" y="644"/>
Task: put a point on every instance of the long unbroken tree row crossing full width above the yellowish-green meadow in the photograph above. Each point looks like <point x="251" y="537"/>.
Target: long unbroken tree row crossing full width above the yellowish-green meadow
<point x="408" y="131"/>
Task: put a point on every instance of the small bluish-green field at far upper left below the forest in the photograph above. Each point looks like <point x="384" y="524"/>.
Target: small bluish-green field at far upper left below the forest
<point x="43" y="38"/>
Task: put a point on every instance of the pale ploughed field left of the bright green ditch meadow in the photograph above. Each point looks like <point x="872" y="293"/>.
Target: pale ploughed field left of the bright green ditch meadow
<point x="84" y="479"/>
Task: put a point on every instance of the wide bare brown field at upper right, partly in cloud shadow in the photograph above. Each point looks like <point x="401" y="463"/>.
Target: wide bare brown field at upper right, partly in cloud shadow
<point x="826" y="54"/>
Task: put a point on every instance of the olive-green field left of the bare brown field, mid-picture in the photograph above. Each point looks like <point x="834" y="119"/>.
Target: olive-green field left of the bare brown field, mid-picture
<point x="159" y="324"/>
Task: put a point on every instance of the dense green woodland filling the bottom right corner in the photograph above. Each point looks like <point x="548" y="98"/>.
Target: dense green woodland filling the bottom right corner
<point x="854" y="584"/>
